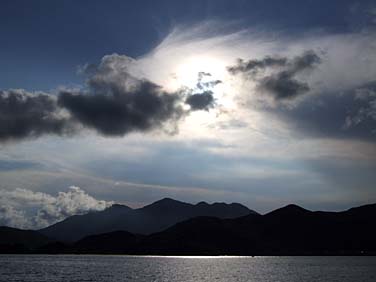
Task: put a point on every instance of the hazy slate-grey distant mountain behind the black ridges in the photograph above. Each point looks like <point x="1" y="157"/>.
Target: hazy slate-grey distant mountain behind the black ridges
<point x="149" y="219"/>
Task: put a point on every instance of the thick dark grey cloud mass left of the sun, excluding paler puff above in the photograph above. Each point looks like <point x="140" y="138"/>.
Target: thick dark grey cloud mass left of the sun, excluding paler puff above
<point x="117" y="111"/>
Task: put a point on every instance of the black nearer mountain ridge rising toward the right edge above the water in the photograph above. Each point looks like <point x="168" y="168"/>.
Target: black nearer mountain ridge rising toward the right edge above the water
<point x="290" y="230"/>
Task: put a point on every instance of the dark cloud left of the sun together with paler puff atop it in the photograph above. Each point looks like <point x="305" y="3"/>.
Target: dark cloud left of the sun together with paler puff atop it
<point x="117" y="103"/>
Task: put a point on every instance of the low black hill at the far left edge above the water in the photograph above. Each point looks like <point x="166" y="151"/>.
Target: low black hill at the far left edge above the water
<point x="18" y="240"/>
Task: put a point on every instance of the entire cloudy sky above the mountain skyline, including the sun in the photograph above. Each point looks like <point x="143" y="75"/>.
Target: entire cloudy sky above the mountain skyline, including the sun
<point x="264" y="103"/>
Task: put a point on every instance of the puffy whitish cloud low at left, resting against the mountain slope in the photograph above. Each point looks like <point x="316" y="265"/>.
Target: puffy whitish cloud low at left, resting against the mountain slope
<point x="24" y="208"/>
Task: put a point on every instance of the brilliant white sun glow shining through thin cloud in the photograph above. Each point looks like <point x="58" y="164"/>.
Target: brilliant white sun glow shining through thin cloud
<point x="176" y="64"/>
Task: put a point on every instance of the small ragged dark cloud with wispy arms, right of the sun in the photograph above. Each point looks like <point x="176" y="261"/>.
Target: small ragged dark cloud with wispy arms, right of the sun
<point x="276" y="76"/>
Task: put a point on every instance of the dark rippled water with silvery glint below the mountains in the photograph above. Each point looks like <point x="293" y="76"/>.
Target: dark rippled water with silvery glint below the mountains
<point x="129" y="268"/>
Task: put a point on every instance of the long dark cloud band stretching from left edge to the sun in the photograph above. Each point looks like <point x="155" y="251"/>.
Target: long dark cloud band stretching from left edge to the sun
<point x="105" y="107"/>
